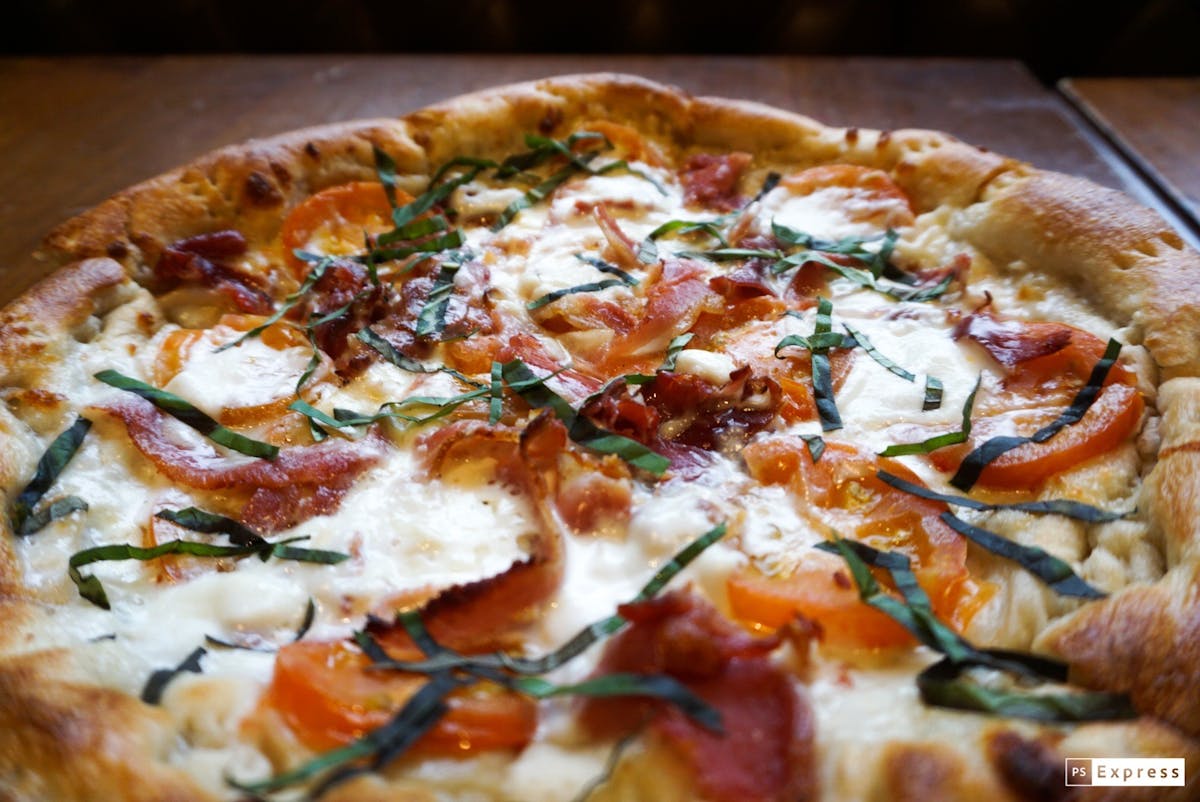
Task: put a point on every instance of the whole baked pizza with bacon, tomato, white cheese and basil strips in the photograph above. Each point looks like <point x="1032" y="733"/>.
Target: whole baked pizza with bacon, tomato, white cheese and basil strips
<point x="585" y="440"/>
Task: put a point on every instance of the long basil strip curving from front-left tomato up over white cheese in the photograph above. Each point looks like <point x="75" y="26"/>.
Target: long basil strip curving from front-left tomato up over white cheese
<point x="579" y="644"/>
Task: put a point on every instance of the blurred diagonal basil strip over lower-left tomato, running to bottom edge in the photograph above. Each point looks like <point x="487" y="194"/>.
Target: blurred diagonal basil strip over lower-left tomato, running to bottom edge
<point x="413" y="721"/>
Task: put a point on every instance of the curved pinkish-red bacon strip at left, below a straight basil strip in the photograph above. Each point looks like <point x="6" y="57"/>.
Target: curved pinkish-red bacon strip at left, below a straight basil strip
<point x="331" y="463"/>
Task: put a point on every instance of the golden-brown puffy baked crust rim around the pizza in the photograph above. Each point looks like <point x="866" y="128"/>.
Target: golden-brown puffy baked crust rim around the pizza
<point x="1119" y="255"/>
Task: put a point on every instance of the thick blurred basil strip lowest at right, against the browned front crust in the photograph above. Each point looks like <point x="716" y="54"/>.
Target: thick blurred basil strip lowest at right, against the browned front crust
<point x="945" y="685"/>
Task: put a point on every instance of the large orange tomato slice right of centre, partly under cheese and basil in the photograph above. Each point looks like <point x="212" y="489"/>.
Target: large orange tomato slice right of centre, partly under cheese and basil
<point x="855" y="502"/>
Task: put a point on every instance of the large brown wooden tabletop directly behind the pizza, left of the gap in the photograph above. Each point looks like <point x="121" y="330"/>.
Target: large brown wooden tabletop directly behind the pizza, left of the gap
<point x="74" y="131"/>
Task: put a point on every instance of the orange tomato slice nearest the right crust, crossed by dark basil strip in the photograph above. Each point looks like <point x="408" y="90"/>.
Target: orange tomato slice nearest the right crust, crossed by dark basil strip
<point x="1045" y="386"/>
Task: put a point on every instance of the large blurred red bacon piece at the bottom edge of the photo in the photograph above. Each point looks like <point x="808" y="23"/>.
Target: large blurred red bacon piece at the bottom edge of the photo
<point x="766" y="753"/>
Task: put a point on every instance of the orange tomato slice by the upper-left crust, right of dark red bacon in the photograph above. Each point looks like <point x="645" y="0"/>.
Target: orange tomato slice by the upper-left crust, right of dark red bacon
<point x="338" y="218"/>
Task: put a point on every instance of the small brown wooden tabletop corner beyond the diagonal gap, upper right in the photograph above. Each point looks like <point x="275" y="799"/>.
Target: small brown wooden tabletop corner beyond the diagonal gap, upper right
<point x="1155" y="122"/>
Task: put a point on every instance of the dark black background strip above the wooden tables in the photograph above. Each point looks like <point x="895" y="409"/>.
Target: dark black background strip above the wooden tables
<point x="1054" y="38"/>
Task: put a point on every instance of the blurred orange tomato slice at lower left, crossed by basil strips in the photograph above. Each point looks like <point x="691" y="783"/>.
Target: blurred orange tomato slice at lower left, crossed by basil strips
<point x="329" y="698"/>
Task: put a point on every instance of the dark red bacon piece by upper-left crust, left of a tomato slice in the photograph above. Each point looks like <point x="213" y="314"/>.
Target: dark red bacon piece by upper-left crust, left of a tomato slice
<point x="203" y="260"/>
